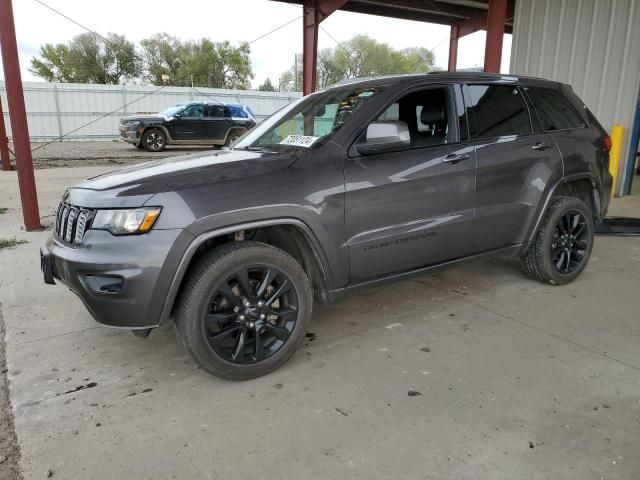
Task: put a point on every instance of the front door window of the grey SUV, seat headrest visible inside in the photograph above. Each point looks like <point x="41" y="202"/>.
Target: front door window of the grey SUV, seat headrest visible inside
<point x="426" y="113"/>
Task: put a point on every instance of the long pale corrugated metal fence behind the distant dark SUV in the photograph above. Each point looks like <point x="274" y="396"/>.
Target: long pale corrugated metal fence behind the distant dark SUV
<point x="54" y="109"/>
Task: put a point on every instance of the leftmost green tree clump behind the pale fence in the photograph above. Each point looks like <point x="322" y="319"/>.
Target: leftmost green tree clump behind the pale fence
<point x="88" y="59"/>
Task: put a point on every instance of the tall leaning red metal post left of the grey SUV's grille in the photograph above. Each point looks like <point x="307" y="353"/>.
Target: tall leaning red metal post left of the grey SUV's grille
<point x="15" y="98"/>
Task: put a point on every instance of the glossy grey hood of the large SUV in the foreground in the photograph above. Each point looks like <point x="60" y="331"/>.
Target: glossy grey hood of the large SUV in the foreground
<point x="136" y="184"/>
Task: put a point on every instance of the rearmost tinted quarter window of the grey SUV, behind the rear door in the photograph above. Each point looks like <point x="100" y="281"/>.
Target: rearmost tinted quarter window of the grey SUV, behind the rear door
<point x="554" y="109"/>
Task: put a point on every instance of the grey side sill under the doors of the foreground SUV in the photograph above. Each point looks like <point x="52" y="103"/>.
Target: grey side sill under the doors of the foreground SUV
<point x="506" y="252"/>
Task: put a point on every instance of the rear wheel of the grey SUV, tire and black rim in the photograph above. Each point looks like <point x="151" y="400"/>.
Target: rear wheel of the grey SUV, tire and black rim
<point x="563" y="243"/>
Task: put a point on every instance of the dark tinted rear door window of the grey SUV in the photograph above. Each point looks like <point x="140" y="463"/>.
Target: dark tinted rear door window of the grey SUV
<point x="498" y="110"/>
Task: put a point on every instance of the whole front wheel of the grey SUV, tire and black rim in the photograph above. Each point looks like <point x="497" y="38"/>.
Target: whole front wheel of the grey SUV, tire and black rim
<point x="221" y="331"/>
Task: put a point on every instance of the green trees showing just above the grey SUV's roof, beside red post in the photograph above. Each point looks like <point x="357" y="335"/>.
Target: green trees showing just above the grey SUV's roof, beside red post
<point x="363" y="56"/>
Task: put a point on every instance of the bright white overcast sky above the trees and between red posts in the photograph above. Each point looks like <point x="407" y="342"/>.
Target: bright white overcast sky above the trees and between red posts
<point x="233" y="20"/>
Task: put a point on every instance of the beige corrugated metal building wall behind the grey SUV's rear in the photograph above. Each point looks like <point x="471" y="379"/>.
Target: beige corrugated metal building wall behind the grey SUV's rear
<point x="593" y="45"/>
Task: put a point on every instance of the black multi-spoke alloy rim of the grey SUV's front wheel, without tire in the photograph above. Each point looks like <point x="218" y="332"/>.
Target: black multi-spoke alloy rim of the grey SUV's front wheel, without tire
<point x="251" y="314"/>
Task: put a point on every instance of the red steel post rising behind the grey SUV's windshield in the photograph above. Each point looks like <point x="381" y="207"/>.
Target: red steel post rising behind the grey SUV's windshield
<point x="314" y="12"/>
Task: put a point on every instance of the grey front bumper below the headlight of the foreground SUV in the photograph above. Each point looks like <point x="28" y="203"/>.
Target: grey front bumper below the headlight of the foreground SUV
<point x="123" y="281"/>
